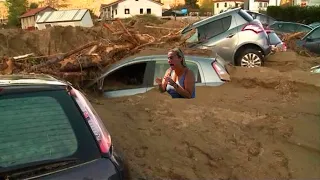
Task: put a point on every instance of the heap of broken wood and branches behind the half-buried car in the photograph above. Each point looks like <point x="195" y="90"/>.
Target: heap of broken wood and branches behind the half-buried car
<point x="88" y="58"/>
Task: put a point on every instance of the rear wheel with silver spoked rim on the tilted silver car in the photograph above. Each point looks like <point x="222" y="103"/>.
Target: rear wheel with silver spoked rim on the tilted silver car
<point x="250" y="58"/>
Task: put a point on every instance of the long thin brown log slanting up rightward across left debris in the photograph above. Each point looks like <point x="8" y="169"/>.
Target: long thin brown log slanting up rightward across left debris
<point x="61" y="57"/>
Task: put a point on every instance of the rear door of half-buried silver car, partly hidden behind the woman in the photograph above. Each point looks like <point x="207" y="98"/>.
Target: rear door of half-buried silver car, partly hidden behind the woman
<point x="161" y="65"/>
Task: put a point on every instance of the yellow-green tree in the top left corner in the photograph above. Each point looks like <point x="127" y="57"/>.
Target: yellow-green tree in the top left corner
<point x="15" y="9"/>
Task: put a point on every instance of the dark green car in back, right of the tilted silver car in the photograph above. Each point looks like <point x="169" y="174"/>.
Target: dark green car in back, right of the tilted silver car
<point x="289" y="27"/>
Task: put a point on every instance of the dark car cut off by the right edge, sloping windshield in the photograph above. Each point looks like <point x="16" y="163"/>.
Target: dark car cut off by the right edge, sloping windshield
<point x="311" y="41"/>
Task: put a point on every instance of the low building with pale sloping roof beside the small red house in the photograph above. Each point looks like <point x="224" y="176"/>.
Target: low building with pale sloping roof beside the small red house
<point x="74" y="17"/>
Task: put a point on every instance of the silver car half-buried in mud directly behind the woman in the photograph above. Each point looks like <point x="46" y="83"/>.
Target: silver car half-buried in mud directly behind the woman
<point x="137" y="74"/>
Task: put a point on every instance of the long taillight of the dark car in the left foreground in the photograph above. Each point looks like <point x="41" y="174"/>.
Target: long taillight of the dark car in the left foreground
<point x="101" y="134"/>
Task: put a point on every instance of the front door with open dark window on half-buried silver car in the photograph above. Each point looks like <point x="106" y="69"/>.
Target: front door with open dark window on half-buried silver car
<point x="128" y="79"/>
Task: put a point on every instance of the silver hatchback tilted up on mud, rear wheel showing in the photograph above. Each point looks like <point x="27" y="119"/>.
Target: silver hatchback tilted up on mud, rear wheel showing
<point x="234" y="35"/>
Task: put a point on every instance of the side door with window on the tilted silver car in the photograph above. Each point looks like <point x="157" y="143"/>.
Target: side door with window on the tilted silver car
<point x="220" y="36"/>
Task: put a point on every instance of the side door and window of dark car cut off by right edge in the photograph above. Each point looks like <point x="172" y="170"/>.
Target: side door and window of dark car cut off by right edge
<point x="312" y="41"/>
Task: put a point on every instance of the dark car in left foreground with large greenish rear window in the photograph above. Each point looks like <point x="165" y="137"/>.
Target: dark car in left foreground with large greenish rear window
<point x="49" y="130"/>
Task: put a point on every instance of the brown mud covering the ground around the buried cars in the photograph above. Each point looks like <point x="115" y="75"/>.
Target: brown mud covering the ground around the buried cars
<point x="265" y="124"/>
